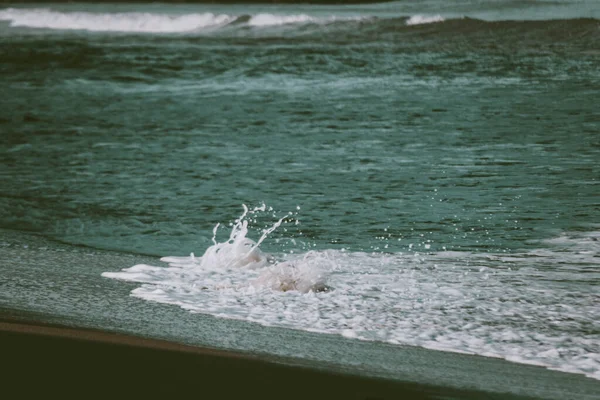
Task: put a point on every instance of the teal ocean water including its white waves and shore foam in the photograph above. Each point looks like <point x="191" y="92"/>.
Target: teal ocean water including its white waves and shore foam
<point x="406" y="173"/>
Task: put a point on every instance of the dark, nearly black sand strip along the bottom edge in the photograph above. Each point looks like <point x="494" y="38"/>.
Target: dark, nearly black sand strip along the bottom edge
<point x="47" y="360"/>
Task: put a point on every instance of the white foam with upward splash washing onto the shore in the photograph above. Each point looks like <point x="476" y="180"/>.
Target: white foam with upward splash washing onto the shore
<point x="513" y="306"/>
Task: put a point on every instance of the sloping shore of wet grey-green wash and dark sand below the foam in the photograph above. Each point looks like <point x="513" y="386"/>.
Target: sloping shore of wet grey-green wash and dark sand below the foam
<point x="84" y="350"/>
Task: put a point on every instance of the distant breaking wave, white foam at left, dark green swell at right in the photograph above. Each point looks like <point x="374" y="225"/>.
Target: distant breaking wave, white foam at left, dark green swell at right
<point x="438" y="29"/>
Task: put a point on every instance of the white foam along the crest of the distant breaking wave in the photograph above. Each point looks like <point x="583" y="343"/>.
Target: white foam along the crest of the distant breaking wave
<point x="135" y="22"/>
